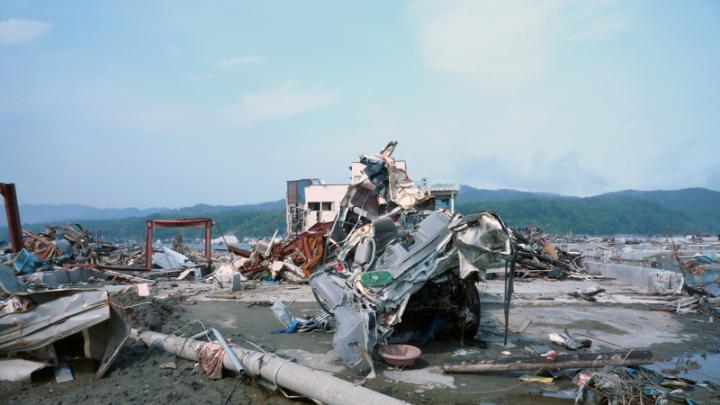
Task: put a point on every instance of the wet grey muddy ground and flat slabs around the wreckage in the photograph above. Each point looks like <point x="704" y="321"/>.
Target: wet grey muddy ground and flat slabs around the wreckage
<point x="621" y="319"/>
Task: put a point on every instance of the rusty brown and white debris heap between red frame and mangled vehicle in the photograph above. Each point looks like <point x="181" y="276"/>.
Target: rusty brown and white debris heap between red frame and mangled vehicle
<point x="292" y="260"/>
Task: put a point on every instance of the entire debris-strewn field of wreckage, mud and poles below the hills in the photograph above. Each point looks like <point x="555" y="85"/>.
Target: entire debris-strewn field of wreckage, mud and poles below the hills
<point x="397" y="300"/>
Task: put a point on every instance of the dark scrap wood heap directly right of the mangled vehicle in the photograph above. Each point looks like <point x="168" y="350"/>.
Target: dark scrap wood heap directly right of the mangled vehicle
<point x="537" y="255"/>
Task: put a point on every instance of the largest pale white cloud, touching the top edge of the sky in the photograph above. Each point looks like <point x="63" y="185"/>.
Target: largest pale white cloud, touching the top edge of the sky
<point x="504" y="43"/>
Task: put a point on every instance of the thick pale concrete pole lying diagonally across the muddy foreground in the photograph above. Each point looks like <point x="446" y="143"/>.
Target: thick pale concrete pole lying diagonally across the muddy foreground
<point x="308" y="382"/>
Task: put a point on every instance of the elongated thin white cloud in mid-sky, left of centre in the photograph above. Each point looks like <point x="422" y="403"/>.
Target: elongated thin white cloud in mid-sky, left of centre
<point x="281" y="102"/>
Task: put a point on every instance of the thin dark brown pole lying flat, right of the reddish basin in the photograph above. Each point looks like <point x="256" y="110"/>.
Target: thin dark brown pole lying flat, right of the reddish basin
<point x="561" y="361"/>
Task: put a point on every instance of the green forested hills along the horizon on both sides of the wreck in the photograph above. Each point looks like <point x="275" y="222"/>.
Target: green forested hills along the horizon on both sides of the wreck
<point x="693" y="210"/>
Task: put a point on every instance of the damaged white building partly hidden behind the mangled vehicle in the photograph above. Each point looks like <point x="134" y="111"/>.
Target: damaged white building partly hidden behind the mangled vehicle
<point x="309" y="201"/>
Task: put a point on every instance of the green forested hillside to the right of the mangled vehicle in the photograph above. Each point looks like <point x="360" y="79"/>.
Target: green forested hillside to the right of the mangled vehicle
<point x="693" y="210"/>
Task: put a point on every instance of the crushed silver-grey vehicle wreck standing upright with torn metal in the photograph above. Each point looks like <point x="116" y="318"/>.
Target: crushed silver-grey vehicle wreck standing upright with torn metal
<point x="402" y="269"/>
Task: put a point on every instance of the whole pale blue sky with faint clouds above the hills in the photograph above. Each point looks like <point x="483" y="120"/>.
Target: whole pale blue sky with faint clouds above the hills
<point x="173" y="103"/>
